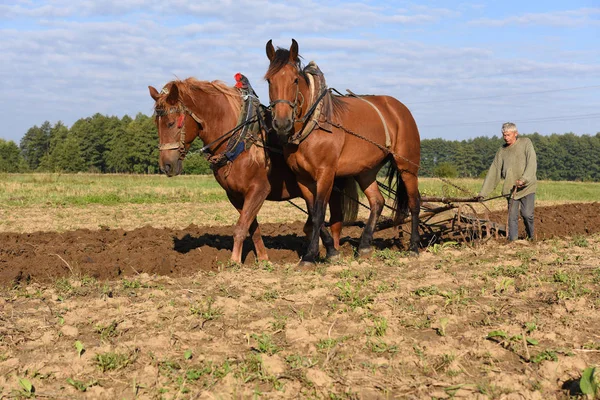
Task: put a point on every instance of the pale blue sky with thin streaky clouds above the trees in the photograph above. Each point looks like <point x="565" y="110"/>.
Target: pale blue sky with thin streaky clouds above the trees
<point x="462" y="68"/>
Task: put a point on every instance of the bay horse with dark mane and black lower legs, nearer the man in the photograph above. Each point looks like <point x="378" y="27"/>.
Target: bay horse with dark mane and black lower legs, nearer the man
<point x="330" y="136"/>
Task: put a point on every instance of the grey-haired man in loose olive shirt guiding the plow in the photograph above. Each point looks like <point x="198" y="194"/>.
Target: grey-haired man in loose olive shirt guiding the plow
<point x="515" y="162"/>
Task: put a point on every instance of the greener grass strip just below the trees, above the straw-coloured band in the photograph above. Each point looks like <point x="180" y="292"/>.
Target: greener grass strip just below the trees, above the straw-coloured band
<point x="116" y="189"/>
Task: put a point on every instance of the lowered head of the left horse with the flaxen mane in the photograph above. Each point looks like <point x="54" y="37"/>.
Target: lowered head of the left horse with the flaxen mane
<point x="176" y="131"/>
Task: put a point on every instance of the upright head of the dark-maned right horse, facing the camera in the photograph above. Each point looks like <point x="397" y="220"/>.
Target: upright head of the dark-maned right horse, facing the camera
<point x="284" y="77"/>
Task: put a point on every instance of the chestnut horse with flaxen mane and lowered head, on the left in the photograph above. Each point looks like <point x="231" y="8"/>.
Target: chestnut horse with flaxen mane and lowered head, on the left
<point x="236" y="138"/>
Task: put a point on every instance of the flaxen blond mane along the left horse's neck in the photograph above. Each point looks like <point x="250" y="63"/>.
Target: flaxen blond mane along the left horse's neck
<point x="188" y="86"/>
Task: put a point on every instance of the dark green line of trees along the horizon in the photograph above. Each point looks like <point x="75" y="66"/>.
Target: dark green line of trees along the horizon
<point x="104" y="144"/>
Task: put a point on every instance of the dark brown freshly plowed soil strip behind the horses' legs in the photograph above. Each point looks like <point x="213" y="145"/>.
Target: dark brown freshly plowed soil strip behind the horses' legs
<point x="109" y="254"/>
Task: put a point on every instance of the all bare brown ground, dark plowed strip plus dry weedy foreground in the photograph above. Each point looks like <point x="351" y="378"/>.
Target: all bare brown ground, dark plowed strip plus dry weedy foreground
<point x="160" y="314"/>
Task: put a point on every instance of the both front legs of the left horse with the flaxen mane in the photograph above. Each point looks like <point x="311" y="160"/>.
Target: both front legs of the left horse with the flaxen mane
<point x="248" y="209"/>
